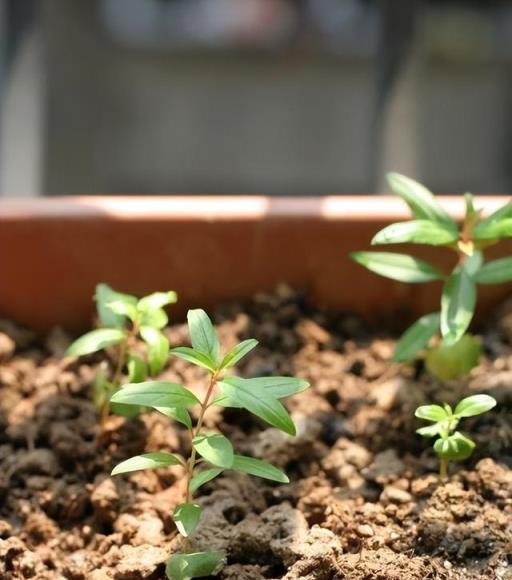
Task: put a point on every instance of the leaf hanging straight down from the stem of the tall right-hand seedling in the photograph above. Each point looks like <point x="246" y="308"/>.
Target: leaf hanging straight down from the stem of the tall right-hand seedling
<point x="457" y="305"/>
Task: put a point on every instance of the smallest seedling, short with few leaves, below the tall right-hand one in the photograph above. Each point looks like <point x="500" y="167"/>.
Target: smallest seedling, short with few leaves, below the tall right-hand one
<point x="452" y="445"/>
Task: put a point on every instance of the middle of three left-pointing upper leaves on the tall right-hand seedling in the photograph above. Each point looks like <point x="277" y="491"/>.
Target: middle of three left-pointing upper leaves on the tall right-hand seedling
<point x="416" y="232"/>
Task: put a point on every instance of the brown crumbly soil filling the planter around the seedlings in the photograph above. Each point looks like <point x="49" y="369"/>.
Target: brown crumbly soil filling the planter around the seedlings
<point x="364" y="500"/>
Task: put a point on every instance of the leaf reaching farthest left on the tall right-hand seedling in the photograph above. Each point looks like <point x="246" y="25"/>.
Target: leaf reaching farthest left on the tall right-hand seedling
<point x="401" y="267"/>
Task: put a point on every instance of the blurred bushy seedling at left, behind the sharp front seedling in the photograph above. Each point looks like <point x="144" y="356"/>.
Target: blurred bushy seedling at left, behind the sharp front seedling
<point x="124" y="319"/>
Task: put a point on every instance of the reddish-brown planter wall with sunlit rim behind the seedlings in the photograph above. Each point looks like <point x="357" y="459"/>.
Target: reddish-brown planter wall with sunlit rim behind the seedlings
<point x="53" y="252"/>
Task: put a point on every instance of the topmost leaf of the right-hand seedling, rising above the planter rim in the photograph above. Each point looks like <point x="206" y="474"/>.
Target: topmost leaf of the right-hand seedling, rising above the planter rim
<point x="422" y="202"/>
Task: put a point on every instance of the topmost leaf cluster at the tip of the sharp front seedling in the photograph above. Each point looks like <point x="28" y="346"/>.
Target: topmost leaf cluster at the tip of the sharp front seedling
<point x="205" y="351"/>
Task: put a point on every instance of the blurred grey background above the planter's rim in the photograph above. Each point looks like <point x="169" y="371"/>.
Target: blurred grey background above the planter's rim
<point x="278" y="97"/>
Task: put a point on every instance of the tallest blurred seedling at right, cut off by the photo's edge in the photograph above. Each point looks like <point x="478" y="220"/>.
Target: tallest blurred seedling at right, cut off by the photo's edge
<point x="442" y="337"/>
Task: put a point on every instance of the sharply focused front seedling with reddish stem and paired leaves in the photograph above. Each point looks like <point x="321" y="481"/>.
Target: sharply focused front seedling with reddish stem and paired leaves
<point x="211" y="453"/>
